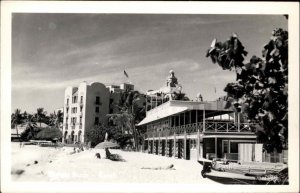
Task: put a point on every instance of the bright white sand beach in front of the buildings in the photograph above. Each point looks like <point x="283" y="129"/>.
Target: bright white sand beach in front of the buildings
<point x="84" y="167"/>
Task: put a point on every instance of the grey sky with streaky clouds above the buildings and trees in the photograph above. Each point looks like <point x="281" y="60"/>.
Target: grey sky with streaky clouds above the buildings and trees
<point x="51" y="51"/>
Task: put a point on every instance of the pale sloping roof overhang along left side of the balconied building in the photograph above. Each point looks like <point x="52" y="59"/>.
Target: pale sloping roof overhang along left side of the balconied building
<point x="162" y="113"/>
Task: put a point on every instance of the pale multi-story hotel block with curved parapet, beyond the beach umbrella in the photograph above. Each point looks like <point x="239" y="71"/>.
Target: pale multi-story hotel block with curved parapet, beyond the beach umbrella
<point x="88" y="105"/>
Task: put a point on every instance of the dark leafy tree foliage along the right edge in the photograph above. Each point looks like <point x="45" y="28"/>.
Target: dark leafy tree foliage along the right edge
<point x="260" y="92"/>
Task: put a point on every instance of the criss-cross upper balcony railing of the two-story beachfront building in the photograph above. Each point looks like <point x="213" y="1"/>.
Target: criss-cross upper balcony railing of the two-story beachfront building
<point x="210" y="127"/>
